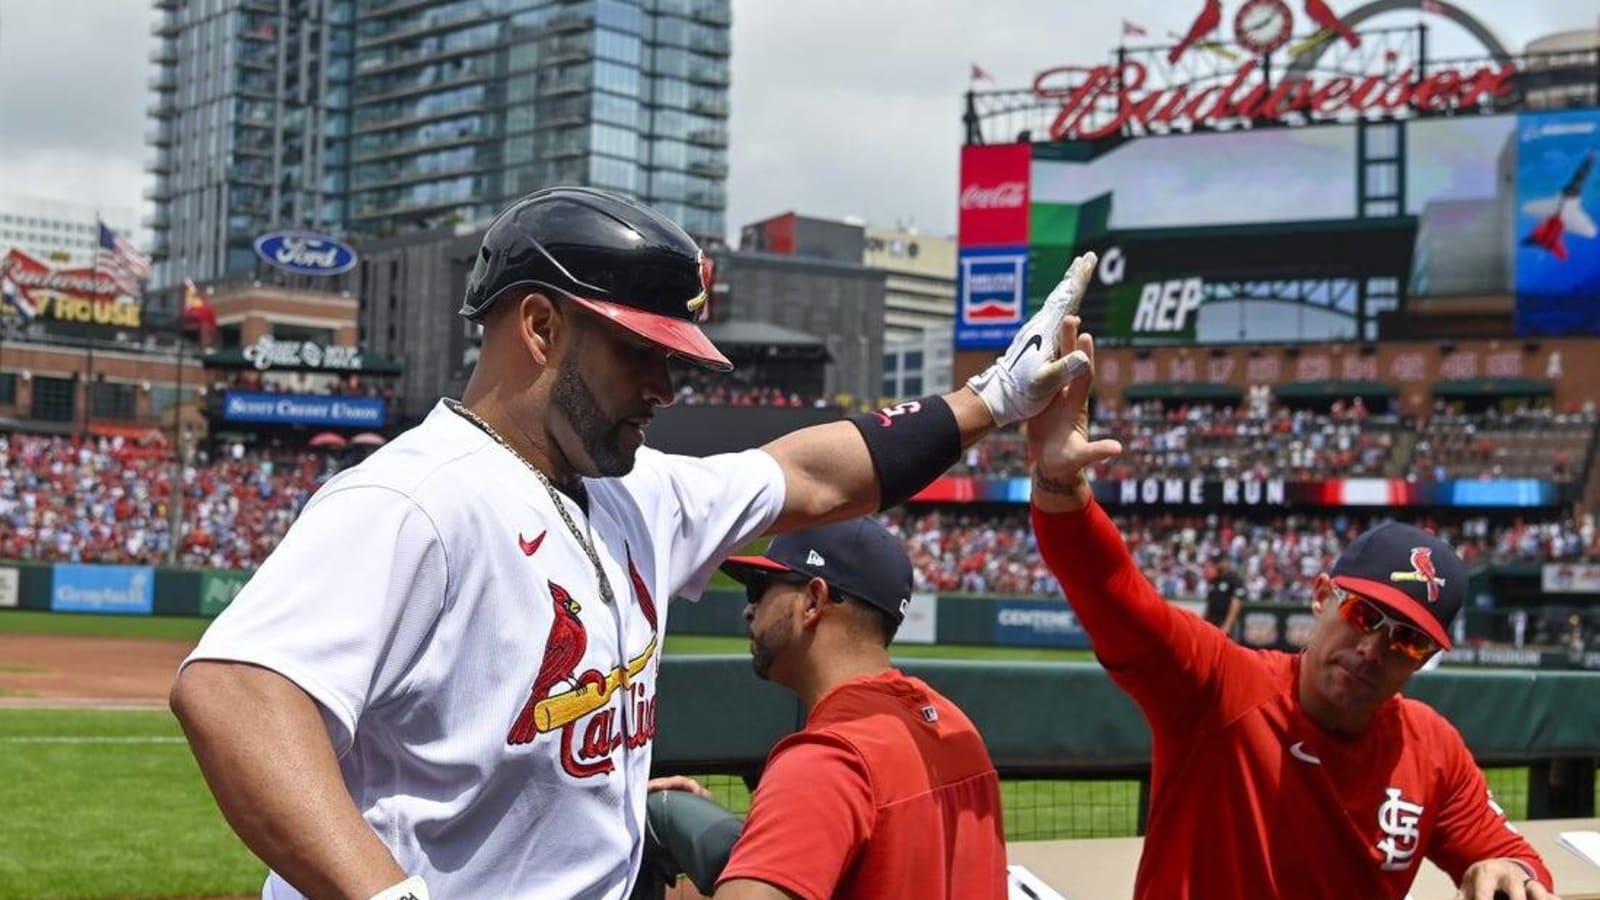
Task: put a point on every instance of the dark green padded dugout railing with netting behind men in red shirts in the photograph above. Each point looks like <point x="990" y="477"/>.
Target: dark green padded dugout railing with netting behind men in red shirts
<point x="1074" y="752"/>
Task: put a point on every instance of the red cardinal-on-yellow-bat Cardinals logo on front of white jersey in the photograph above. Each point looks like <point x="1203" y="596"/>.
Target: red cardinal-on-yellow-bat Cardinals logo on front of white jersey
<point x="580" y="705"/>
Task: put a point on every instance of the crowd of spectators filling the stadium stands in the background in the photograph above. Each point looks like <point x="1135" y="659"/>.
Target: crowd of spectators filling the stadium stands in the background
<point x="110" y="500"/>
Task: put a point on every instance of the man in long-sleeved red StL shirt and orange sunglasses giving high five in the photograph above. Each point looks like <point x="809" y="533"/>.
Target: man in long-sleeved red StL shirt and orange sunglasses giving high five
<point x="1282" y="776"/>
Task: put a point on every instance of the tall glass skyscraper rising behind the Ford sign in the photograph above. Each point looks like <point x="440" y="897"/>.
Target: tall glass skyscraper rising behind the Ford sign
<point x="374" y="118"/>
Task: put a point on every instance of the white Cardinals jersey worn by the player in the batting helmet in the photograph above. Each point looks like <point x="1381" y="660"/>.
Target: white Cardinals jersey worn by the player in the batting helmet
<point x="494" y="717"/>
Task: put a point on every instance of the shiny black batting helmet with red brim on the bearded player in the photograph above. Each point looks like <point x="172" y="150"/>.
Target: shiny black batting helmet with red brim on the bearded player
<point x="614" y="255"/>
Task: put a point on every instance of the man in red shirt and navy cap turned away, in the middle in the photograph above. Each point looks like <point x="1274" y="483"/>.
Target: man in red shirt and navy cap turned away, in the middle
<point x="889" y="790"/>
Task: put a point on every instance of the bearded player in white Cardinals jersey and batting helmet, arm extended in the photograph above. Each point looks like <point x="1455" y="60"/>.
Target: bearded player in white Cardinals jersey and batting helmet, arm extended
<point x="444" y="680"/>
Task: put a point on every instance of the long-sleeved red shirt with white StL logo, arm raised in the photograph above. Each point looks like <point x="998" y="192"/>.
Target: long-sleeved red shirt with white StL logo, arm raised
<point x="1249" y="797"/>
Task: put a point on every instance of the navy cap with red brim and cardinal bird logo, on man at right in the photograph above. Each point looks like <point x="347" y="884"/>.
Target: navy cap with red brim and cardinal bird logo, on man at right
<point x="1407" y="571"/>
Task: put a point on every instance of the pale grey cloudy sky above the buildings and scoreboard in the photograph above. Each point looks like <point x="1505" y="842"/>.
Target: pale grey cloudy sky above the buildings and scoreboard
<point x="839" y="106"/>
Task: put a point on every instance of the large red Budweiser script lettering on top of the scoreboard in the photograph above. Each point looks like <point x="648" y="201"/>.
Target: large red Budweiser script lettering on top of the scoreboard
<point x="1102" y="102"/>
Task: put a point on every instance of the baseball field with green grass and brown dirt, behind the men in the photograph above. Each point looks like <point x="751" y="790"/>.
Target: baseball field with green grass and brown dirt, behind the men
<point x="103" y="800"/>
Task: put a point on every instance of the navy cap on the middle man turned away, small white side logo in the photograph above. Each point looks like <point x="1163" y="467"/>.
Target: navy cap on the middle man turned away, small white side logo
<point x="858" y="558"/>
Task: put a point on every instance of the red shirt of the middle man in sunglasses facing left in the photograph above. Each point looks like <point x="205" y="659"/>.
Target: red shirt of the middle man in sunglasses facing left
<point x="889" y="792"/>
